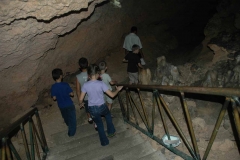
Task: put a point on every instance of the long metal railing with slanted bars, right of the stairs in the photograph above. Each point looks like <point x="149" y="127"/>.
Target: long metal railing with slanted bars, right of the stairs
<point x="129" y="106"/>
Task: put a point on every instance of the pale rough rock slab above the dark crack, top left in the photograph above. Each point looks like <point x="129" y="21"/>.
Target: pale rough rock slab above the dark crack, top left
<point x="40" y="10"/>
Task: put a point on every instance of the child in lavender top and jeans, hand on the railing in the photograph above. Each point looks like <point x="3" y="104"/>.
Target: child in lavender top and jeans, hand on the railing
<point x="95" y="90"/>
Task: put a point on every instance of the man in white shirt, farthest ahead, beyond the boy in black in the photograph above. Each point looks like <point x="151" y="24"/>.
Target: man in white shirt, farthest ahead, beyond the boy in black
<point x="132" y="39"/>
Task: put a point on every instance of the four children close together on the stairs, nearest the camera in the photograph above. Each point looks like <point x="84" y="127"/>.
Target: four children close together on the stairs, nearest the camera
<point x="90" y="92"/>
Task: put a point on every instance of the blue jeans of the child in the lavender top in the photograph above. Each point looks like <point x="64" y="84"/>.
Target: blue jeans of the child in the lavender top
<point x="96" y="113"/>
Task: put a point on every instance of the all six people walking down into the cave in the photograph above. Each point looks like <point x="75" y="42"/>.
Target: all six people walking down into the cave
<point x="94" y="91"/>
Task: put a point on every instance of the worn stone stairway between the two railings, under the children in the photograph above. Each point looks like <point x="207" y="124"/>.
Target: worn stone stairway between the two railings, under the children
<point x="85" y="145"/>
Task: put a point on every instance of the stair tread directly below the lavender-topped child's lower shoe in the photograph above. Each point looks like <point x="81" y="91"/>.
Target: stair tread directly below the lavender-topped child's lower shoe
<point x="110" y="149"/>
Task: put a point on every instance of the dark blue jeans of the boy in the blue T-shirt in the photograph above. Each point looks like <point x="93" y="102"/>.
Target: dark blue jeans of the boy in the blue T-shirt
<point x="69" y="116"/>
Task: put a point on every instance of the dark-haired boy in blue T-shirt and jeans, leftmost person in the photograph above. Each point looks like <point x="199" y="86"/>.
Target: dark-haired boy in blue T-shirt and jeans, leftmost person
<point x="61" y="92"/>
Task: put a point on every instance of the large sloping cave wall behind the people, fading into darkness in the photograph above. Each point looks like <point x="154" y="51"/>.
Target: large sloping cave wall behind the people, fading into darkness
<point x="38" y="36"/>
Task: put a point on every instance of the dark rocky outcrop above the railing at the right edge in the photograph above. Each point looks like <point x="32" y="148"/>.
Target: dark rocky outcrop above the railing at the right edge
<point x="218" y="54"/>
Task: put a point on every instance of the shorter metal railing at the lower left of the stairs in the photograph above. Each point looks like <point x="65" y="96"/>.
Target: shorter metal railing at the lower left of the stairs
<point x="36" y="139"/>
